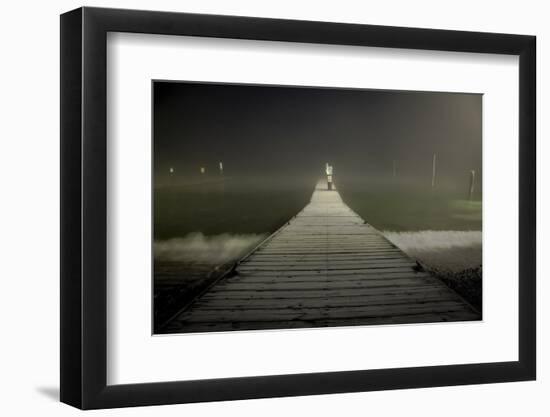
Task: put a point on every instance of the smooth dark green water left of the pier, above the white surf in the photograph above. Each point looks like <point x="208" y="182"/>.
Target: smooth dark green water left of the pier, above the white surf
<point x="217" y="205"/>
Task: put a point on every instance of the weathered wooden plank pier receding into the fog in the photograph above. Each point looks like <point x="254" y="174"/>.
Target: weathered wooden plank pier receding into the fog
<point x="326" y="267"/>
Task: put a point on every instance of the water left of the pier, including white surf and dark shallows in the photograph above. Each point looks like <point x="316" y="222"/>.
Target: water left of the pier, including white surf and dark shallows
<point x="203" y="225"/>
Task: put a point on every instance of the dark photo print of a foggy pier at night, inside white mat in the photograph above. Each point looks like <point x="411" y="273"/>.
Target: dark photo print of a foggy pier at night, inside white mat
<point x="284" y="207"/>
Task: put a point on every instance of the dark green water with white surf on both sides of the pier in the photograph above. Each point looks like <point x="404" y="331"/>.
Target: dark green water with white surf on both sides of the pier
<point x="202" y="226"/>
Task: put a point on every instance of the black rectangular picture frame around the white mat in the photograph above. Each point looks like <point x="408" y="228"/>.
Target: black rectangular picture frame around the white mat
<point x="84" y="207"/>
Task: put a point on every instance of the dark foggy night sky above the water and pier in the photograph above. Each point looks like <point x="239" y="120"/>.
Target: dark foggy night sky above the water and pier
<point x="295" y="130"/>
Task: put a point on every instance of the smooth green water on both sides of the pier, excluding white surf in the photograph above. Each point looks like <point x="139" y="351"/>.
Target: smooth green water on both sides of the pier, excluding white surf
<point x="262" y="205"/>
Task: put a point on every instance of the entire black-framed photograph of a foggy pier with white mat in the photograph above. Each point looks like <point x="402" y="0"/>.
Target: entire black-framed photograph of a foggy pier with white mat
<point x="257" y="208"/>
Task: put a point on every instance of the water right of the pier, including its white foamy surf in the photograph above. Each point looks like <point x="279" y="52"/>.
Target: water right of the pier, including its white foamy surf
<point x="438" y="227"/>
